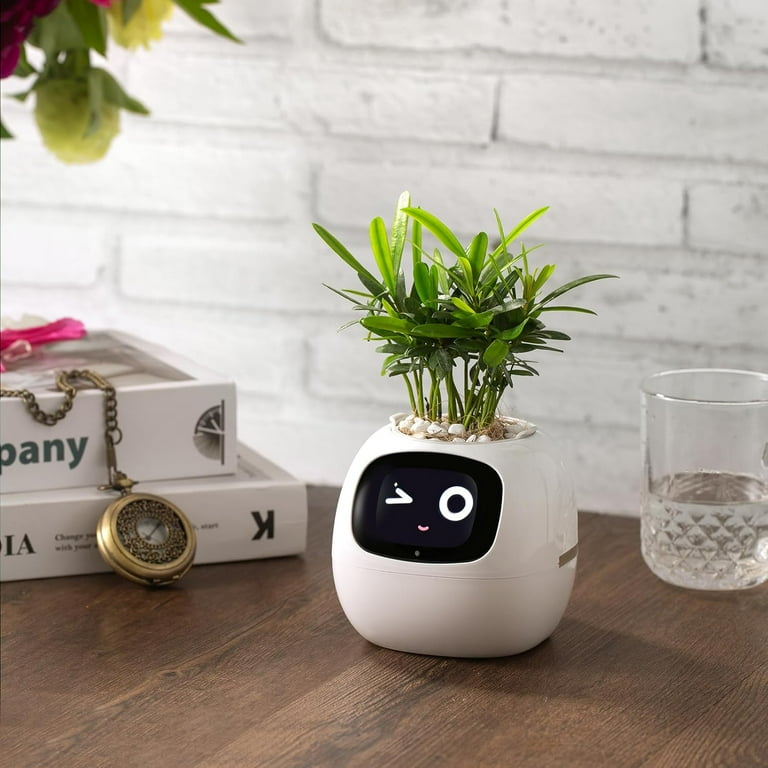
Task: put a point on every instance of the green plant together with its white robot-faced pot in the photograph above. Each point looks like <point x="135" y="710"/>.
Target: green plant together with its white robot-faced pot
<point x="456" y="528"/>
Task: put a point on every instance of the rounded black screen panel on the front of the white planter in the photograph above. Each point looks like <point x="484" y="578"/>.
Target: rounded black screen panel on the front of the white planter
<point x="429" y="507"/>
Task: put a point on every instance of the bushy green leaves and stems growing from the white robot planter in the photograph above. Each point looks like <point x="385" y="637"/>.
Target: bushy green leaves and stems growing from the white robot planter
<point x="458" y="331"/>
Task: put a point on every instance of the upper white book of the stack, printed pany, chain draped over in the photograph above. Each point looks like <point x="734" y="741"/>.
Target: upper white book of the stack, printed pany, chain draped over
<point x="177" y="418"/>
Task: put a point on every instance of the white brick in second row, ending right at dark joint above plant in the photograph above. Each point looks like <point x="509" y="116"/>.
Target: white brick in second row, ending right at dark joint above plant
<point x="391" y="104"/>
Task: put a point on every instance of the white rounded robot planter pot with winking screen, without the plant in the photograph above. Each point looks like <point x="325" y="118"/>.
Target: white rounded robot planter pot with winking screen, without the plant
<point x="455" y="549"/>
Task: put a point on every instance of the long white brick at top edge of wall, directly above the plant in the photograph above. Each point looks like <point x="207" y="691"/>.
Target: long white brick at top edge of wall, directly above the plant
<point x="655" y="30"/>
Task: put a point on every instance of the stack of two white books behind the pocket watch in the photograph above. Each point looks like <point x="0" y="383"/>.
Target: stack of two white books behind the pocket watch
<point x="178" y="424"/>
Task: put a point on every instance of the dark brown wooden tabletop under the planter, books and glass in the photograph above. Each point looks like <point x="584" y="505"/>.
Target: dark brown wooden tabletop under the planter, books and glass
<point x="253" y="664"/>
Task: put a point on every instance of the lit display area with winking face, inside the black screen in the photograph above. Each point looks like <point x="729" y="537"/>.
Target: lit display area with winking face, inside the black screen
<point x="426" y="507"/>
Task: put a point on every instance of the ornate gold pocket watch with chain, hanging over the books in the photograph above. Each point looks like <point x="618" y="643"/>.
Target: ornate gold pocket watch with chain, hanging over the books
<point x="143" y="537"/>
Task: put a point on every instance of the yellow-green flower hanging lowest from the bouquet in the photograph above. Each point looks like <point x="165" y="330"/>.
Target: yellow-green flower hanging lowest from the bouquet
<point x="62" y="113"/>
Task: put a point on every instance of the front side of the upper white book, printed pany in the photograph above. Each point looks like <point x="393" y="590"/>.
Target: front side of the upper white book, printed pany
<point x="181" y="429"/>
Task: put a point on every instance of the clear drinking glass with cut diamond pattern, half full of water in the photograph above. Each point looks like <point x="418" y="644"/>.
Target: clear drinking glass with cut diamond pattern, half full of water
<point x="704" y="515"/>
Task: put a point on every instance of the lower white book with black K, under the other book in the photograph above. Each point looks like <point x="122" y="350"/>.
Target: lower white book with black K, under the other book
<point x="259" y="512"/>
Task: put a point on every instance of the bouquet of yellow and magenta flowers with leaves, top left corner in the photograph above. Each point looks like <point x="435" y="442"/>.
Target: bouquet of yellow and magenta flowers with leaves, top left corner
<point x="77" y="104"/>
